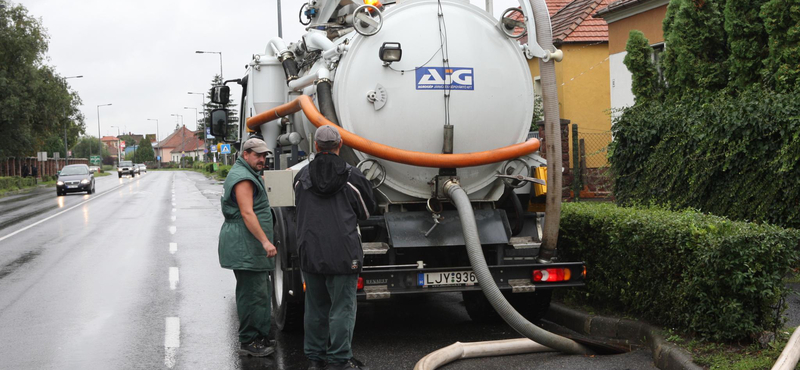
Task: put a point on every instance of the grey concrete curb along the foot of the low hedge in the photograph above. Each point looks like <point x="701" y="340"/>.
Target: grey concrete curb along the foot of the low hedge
<point x="666" y="356"/>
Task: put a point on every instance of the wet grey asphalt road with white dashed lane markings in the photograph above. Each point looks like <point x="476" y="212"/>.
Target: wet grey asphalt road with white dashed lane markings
<point x="128" y="278"/>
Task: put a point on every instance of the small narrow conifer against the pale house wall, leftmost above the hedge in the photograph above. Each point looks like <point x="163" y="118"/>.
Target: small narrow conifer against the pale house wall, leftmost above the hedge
<point x="639" y="61"/>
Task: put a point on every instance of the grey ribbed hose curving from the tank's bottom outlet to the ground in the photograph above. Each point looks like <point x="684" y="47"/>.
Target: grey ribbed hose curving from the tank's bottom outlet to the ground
<point x="490" y="289"/>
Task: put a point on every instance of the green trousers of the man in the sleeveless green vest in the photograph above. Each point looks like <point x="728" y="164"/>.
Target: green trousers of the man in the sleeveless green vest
<point x="253" y="294"/>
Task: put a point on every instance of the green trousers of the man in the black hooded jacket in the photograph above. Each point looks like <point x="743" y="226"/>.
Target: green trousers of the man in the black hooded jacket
<point x="330" y="316"/>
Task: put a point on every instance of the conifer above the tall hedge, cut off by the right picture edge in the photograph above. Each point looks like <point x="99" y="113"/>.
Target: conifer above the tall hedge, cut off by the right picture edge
<point x="782" y="24"/>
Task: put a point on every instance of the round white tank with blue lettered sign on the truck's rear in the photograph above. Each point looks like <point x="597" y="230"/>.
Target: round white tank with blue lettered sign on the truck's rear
<point x="491" y="95"/>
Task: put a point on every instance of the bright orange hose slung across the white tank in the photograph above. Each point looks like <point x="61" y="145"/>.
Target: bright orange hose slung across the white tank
<point x="412" y="158"/>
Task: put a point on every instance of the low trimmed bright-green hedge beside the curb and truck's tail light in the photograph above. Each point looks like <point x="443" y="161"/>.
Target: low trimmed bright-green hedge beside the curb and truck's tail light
<point x="701" y="274"/>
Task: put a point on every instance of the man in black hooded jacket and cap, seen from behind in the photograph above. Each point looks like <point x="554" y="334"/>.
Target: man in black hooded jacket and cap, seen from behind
<point x="331" y="196"/>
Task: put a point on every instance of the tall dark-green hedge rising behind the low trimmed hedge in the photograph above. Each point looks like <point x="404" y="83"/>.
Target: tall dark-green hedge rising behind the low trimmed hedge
<point x="737" y="157"/>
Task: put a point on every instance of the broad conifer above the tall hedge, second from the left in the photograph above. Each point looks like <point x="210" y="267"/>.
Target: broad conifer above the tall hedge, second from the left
<point x="696" y="56"/>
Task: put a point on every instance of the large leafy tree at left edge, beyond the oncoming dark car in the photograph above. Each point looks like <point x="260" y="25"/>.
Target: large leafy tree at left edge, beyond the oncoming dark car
<point x="37" y="103"/>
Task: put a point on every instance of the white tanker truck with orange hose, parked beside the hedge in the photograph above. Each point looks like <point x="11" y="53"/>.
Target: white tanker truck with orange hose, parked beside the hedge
<point x="434" y="101"/>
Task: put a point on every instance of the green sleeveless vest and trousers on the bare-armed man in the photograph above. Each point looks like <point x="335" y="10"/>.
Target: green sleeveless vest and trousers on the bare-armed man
<point x="240" y="251"/>
